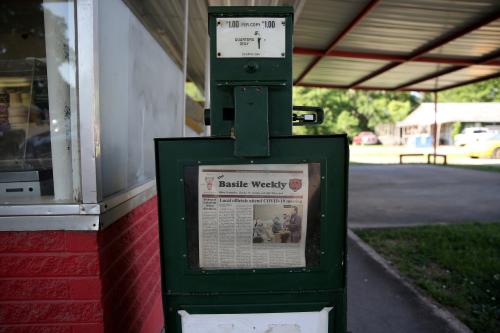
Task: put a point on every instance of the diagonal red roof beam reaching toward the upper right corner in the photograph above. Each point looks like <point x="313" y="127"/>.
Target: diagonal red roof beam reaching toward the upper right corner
<point x="438" y="42"/>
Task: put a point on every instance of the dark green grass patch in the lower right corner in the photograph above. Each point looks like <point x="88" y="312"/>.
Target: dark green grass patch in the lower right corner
<point x="457" y="265"/>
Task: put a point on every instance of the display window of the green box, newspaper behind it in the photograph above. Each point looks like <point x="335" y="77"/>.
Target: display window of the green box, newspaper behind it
<point x="252" y="234"/>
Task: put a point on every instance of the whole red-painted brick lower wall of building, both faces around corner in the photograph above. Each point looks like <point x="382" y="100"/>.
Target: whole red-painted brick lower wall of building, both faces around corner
<point x="67" y="281"/>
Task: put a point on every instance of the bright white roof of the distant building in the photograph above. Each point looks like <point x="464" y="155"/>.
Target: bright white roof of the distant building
<point x="453" y="112"/>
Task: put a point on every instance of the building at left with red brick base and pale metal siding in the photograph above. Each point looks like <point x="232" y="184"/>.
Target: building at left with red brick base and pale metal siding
<point x="85" y="86"/>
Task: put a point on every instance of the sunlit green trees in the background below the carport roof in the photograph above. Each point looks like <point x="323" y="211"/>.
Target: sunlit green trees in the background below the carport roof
<point x="353" y="111"/>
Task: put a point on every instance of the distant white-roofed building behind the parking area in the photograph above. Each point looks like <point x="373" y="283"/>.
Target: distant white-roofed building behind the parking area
<point x="421" y="121"/>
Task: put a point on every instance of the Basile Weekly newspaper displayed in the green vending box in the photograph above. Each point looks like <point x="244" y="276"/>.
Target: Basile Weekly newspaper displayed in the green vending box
<point x="252" y="216"/>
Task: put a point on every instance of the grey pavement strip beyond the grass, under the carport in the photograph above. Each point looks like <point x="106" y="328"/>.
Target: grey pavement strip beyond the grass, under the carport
<point x="401" y="195"/>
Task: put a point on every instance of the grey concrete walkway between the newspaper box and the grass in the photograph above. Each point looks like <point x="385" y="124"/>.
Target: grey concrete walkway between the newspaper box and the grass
<point x="379" y="303"/>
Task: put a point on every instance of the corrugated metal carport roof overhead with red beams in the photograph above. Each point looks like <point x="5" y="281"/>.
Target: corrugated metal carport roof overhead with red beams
<point x="382" y="43"/>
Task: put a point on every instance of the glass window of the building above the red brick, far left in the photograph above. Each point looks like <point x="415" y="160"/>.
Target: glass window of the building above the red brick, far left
<point x="37" y="100"/>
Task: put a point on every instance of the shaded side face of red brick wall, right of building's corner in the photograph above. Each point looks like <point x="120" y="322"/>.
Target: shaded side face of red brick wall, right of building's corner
<point x="130" y="266"/>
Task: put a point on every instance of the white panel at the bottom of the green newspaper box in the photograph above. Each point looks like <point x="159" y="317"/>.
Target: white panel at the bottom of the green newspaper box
<point x="287" y="322"/>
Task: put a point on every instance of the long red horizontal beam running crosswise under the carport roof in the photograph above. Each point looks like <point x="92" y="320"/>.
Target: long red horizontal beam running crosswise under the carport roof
<point x="389" y="57"/>
